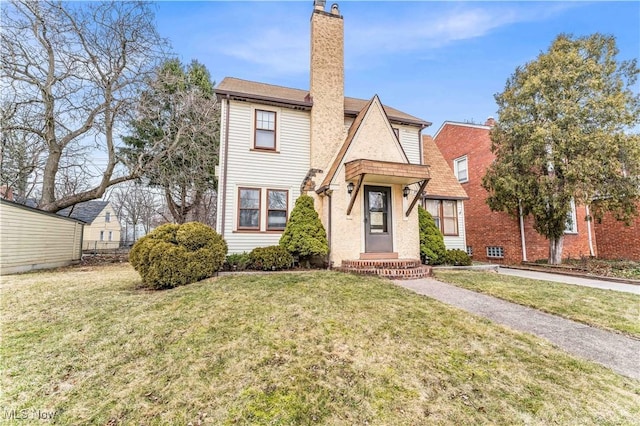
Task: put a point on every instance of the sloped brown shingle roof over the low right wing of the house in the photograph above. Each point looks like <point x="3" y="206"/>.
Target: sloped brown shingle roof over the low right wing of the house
<point x="443" y="183"/>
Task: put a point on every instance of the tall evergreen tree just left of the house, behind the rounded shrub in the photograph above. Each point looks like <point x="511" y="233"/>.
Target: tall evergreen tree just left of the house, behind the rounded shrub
<point x="179" y="114"/>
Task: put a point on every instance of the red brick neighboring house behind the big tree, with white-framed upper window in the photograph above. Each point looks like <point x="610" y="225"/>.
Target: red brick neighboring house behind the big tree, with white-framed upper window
<point x="496" y="236"/>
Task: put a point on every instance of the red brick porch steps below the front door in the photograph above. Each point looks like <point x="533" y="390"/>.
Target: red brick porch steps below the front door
<point x="388" y="268"/>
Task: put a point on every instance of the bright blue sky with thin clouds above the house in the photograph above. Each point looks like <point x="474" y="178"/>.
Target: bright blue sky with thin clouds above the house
<point x="435" y="60"/>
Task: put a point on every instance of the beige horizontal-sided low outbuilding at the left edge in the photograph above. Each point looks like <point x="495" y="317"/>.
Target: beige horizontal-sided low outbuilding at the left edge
<point x="32" y="239"/>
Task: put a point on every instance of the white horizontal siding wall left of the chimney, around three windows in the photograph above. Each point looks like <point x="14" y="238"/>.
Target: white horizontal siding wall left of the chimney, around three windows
<point x="248" y="168"/>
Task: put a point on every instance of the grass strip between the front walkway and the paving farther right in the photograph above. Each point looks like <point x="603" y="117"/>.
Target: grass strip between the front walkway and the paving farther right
<point x="606" y="309"/>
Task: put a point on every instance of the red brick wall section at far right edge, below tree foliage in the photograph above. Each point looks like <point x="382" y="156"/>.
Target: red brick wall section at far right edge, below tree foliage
<point x="616" y="240"/>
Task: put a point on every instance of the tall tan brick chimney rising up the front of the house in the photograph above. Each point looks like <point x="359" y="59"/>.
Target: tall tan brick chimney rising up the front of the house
<point x="327" y="84"/>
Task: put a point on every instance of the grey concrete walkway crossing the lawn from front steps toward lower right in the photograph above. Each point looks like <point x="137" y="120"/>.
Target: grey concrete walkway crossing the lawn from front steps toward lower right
<point x="620" y="353"/>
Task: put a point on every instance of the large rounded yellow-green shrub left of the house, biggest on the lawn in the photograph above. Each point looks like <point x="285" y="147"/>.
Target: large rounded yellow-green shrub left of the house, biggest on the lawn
<point x="174" y="255"/>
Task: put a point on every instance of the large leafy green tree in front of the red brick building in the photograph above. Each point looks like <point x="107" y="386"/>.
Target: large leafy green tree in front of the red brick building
<point x="566" y="132"/>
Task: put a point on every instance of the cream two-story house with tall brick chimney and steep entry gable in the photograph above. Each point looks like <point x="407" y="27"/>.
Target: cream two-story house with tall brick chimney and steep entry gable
<point x="362" y="161"/>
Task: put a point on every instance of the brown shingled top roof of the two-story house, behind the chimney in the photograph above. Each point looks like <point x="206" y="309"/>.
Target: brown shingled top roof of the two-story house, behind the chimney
<point x="295" y="97"/>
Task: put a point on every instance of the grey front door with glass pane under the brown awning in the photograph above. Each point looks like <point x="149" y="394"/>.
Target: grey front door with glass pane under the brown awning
<point x="377" y="219"/>
